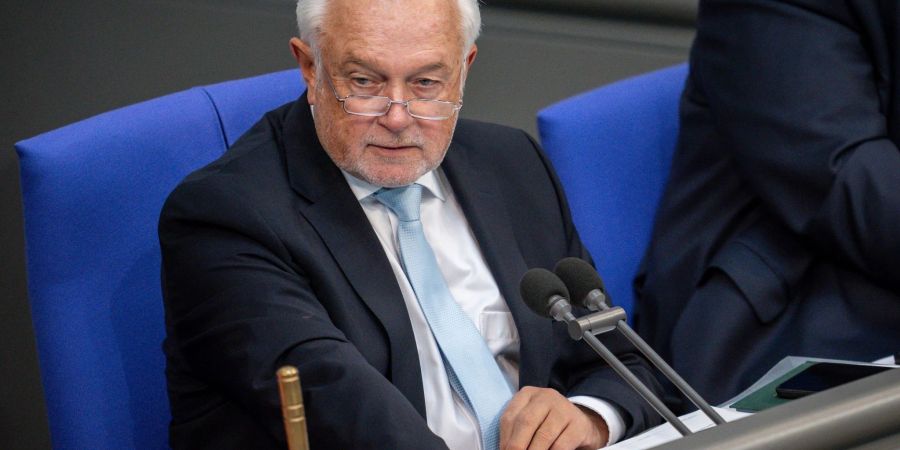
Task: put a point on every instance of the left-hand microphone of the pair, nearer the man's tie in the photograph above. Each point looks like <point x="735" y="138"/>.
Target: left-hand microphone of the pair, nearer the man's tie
<point x="547" y="295"/>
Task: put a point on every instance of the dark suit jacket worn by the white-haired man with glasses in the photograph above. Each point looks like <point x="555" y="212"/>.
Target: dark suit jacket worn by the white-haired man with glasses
<point x="268" y="259"/>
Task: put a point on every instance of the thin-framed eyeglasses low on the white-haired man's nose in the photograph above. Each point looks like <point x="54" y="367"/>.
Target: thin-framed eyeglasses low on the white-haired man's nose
<point x="377" y="105"/>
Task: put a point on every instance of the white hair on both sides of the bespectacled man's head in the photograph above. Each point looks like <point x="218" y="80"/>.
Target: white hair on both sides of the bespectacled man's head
<point x="311" y="13"/>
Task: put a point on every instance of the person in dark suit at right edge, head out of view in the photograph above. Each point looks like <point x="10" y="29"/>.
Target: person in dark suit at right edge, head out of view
<point x="779" y="231"/>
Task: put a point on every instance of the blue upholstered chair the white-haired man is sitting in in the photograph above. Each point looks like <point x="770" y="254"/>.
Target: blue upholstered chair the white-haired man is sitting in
<point x="92" y="193"/>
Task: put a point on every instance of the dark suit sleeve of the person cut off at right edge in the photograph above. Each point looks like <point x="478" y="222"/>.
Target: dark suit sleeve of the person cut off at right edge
<point x="794" y="87"/>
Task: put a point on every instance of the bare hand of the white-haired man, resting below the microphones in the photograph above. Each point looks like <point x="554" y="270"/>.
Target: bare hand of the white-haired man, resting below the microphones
<point x="541" y="418"/>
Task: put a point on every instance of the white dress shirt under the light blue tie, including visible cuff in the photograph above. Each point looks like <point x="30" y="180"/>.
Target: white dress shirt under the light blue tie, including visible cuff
<point x="473" y="287"/>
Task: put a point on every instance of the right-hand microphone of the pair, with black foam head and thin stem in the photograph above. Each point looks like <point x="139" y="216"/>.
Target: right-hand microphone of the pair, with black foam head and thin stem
<point x="587" y="289"/>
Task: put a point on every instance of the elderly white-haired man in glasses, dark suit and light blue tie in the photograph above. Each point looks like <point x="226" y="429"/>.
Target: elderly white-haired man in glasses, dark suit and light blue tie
<point x="335" y="236"/>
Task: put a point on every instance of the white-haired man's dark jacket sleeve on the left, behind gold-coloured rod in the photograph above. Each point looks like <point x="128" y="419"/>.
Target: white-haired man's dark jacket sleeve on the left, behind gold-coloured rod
<point x="238" y="308"/>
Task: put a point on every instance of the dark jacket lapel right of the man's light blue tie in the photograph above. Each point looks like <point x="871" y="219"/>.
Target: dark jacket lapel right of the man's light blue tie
<point x="475" y="186"/>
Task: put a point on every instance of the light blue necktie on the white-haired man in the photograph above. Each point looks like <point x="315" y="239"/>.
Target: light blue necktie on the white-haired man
<point x="471" y="367"/>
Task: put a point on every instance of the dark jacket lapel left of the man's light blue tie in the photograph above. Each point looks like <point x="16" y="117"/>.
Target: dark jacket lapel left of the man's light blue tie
<point x="334" y="212"/>
